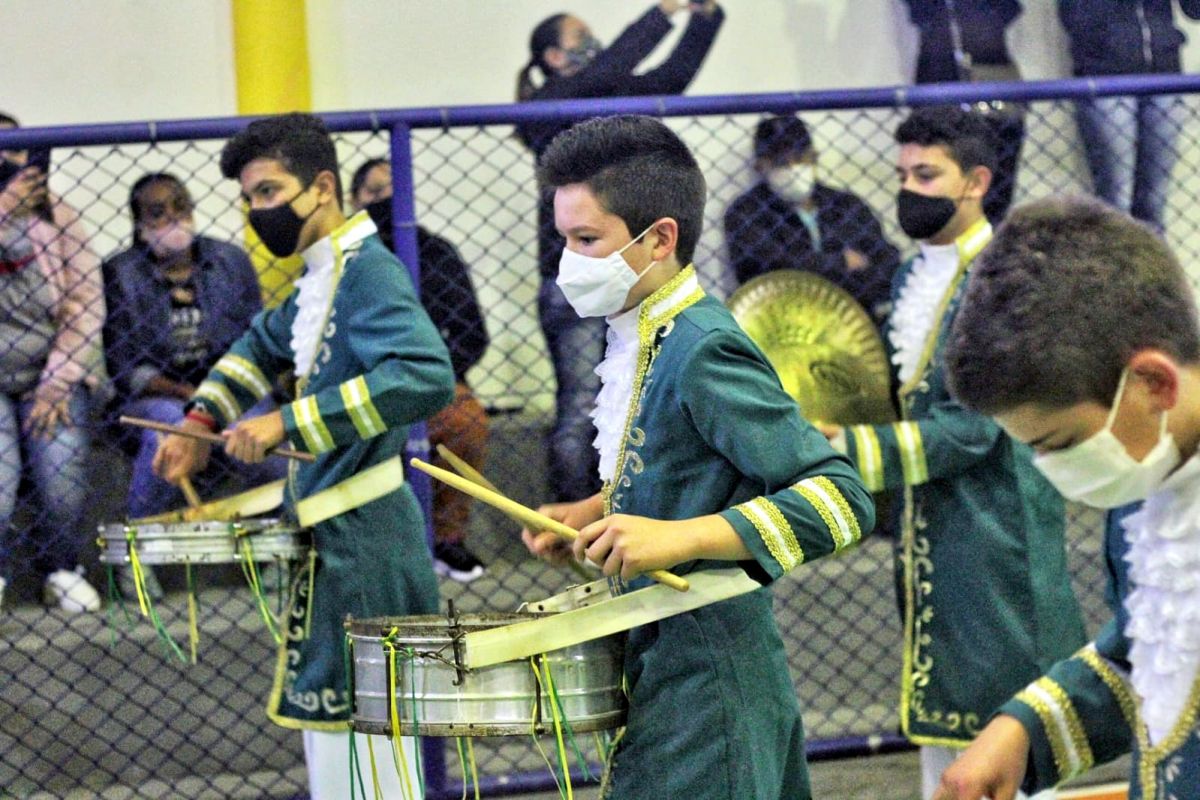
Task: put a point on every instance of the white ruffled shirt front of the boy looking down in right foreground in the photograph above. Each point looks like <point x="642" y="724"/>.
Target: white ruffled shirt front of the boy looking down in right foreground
<point x="1165" y="604"/>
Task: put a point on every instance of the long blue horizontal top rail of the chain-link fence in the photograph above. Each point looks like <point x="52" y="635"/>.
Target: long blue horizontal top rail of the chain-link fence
<point x="575" y="110"/>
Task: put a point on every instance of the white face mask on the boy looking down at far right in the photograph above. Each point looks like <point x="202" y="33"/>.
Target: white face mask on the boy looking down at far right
<point x="1099" y="472"/>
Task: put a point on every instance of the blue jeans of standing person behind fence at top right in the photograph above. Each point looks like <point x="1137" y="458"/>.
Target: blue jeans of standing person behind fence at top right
<point x="1131" y="152"/>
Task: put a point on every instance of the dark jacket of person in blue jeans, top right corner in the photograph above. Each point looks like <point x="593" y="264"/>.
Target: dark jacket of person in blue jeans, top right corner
<point x="1125" y="37"/>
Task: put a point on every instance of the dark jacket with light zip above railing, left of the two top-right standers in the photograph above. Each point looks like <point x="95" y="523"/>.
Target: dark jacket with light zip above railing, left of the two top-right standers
<point x="982" y="25"/>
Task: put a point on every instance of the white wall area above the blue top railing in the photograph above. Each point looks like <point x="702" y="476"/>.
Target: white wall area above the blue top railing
<point x="105" y="61"/>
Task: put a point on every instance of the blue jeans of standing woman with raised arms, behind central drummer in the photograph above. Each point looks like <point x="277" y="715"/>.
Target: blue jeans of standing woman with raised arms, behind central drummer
<point x="577" y="347"/>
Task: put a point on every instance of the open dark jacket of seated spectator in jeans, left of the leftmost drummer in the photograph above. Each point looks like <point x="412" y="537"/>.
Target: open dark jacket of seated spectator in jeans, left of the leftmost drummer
<point x="137" y="333"/>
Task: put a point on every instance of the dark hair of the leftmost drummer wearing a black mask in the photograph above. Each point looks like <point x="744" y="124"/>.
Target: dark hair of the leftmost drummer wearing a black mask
<point x="299" y="142"/>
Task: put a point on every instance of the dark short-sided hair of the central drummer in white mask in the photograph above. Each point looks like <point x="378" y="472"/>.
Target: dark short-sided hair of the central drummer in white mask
<point x="638" y="169"/>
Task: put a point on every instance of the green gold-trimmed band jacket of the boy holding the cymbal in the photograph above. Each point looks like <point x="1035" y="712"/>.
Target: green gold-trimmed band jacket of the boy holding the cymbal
<point x="981" y="564"/>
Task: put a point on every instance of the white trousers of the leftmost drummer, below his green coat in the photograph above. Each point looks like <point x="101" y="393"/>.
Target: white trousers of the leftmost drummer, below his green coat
<point x="328" y="759"/>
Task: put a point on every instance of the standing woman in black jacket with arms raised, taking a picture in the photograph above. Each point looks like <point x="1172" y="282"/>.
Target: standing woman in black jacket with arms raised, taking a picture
<point x="574" y="65"/>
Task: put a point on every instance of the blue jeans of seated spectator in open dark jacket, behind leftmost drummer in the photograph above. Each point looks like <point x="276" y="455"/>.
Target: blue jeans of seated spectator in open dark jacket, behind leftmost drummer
<point x="149" y="495"/>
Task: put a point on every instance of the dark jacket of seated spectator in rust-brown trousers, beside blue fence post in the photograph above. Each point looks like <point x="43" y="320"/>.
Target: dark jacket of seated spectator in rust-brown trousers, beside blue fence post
<point x="451" y="300"/>
